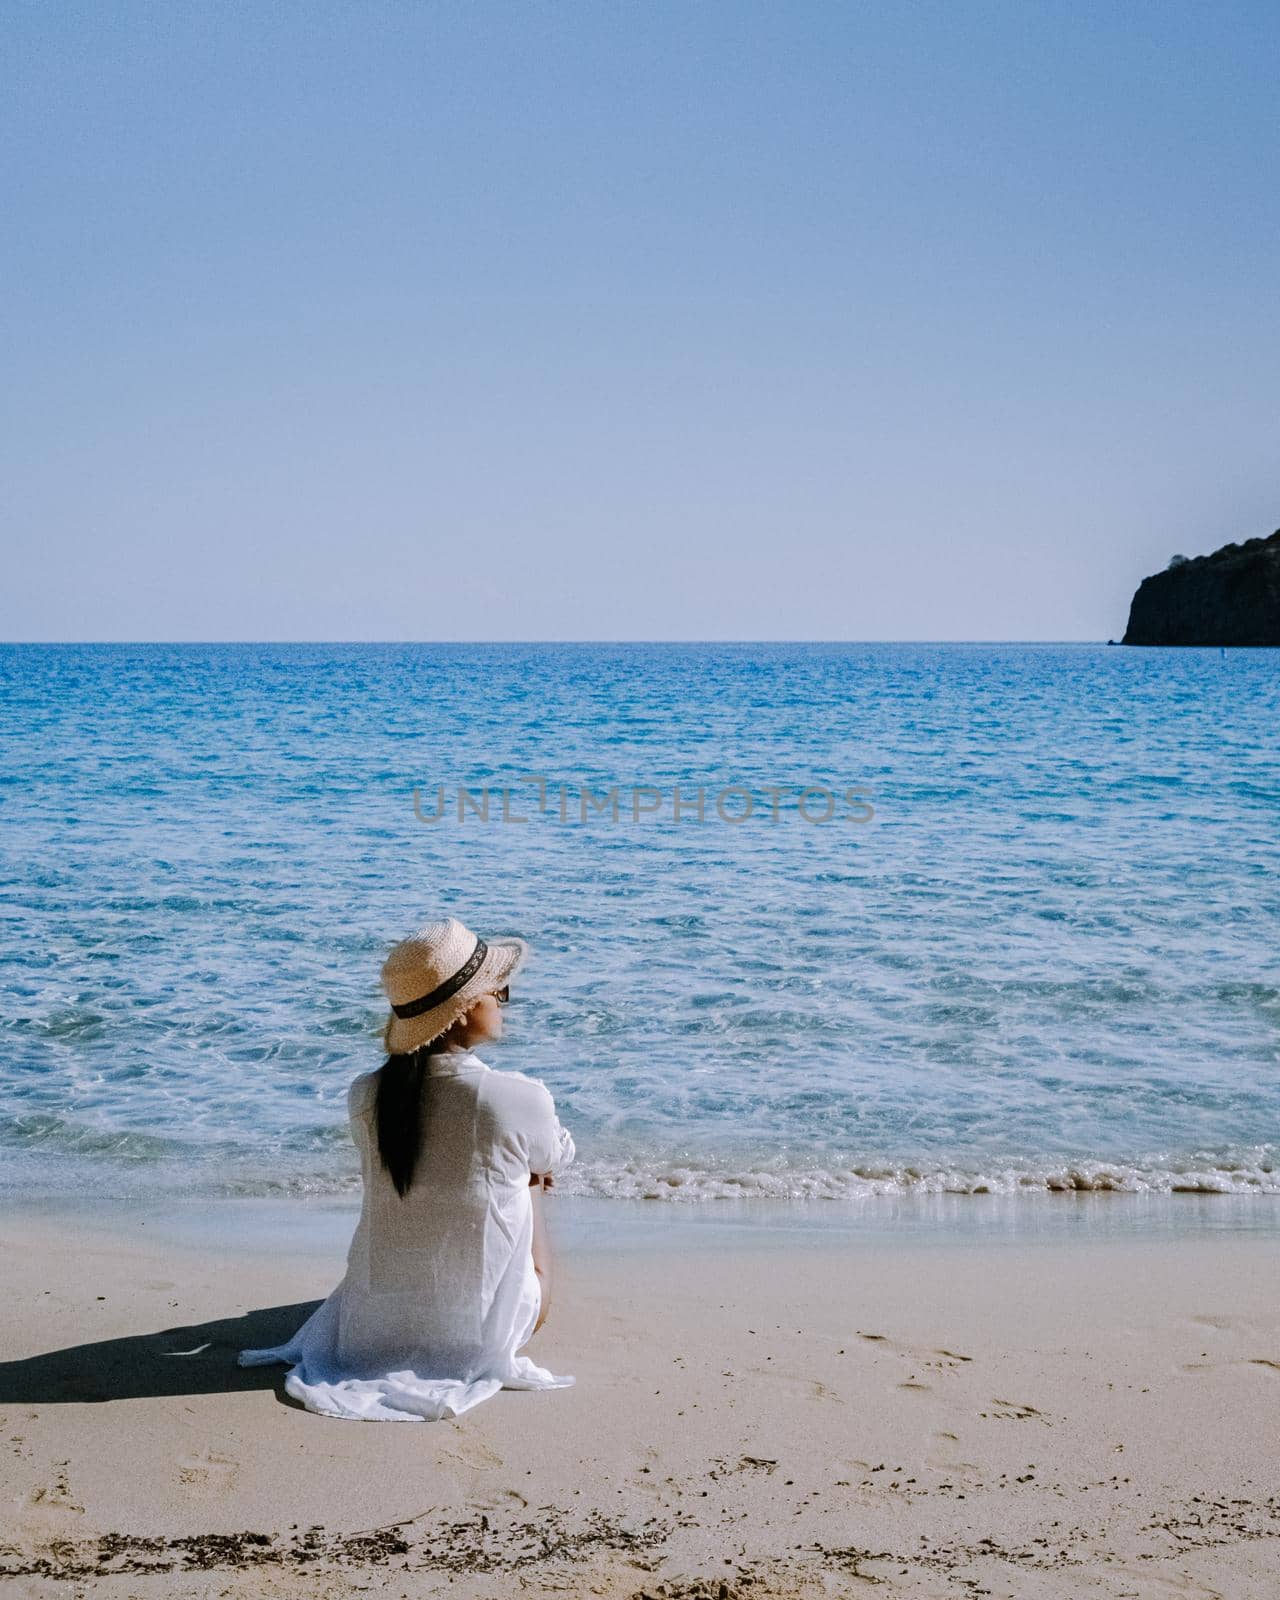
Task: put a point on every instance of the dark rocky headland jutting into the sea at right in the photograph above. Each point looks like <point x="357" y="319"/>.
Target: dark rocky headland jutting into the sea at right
<point x="1231" y="598"/>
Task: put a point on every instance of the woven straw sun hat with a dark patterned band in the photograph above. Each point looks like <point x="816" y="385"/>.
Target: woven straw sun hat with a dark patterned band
<point x="438" y="975"/>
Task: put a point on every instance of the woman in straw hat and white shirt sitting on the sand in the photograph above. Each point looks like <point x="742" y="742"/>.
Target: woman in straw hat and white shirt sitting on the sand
<point x="447" y="1274"/>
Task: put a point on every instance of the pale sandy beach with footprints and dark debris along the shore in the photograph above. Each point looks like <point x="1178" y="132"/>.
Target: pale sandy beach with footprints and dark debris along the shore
<point x="758" y="1414"/>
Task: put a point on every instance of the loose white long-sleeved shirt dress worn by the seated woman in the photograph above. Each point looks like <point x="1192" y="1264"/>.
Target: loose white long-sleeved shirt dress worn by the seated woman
<point x="439" y="1294"/>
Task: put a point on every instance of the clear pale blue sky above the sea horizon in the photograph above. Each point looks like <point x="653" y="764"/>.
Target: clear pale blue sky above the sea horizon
<point x="649" y="321"/>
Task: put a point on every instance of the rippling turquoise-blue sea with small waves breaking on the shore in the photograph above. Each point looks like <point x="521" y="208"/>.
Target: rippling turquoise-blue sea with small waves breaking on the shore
<point x="1036" y="948"/>
